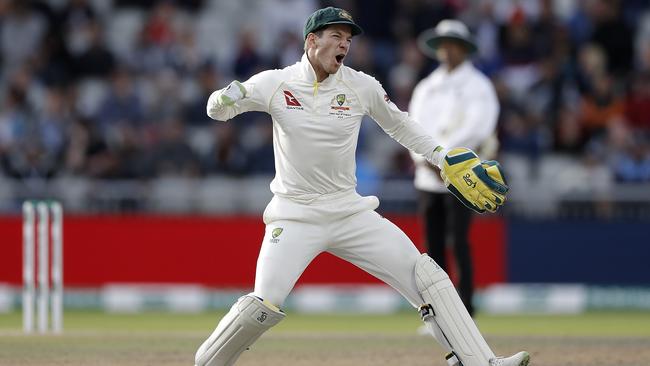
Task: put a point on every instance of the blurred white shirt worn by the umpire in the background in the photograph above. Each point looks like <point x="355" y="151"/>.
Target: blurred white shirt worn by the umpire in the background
<point x="457" y="108"/>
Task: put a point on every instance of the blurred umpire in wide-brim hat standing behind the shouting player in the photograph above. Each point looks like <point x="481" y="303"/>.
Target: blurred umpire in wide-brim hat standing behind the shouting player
<point x="457" y="106"/>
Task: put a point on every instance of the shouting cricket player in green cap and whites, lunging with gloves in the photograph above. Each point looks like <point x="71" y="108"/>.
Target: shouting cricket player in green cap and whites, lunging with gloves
<point x="317" y="105"/>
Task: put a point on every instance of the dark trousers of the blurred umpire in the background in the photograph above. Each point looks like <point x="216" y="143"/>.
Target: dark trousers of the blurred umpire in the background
<point x="446" y="219"/>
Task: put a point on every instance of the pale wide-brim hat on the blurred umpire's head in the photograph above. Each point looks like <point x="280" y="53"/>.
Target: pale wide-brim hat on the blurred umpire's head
<point x="447" y="29"/>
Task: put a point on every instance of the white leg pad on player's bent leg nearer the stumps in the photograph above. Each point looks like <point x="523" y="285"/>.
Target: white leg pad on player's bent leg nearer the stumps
<point x="246" y="321"/>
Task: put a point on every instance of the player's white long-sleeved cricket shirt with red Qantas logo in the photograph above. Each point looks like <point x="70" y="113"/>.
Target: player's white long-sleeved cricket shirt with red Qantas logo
<point x="316" y="125"/>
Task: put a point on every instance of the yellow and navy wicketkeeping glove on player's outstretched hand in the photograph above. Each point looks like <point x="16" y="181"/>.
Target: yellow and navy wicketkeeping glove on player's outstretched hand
<point x="479" y="185"/>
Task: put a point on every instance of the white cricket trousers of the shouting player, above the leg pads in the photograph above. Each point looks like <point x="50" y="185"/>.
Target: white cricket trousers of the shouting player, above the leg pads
<point x="343" y="224"/>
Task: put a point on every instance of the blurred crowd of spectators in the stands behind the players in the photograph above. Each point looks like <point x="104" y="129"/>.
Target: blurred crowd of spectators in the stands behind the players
<point x="117" y="89"/>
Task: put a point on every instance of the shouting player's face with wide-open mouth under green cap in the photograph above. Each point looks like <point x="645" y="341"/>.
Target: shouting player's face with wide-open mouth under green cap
<point x="330" y="49"/>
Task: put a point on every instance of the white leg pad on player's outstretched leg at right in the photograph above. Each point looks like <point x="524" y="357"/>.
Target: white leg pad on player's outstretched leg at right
<point x="450" y="314"/>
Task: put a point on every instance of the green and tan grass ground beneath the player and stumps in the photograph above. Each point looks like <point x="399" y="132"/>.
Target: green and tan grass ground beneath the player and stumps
<point x="94" y="338"/>
